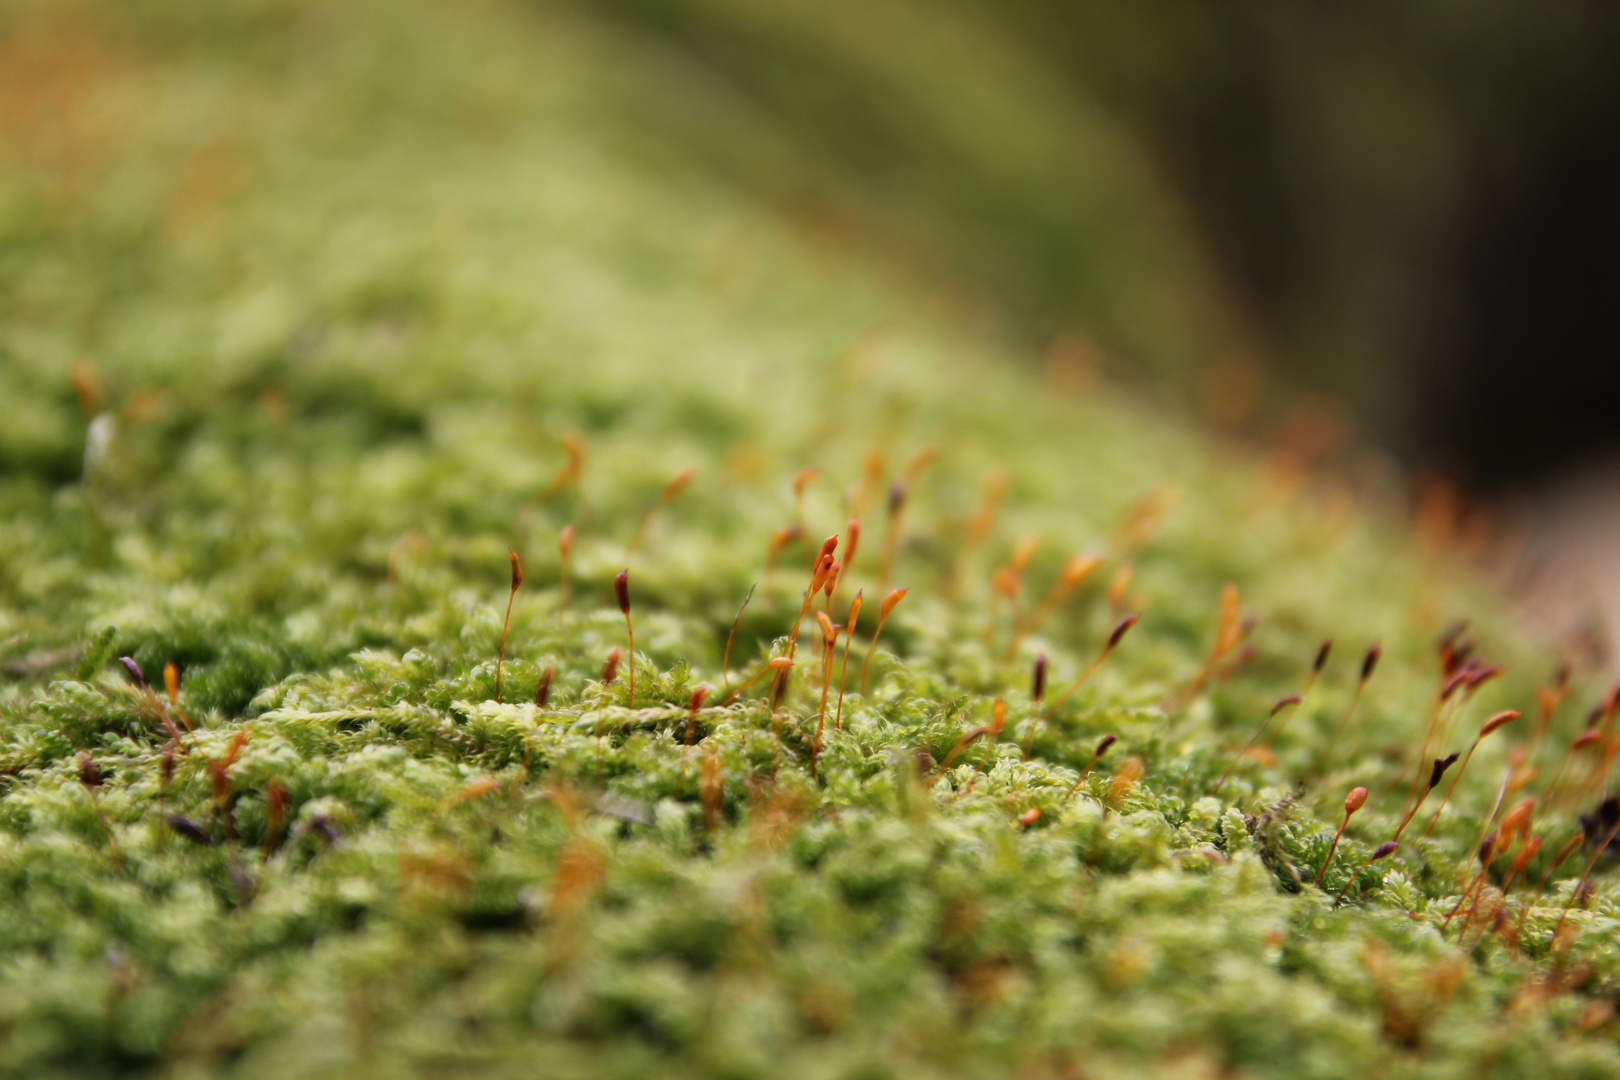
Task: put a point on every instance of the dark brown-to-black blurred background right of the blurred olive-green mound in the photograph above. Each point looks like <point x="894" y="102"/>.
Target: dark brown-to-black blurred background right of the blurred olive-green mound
<point x="1422" y="202"/>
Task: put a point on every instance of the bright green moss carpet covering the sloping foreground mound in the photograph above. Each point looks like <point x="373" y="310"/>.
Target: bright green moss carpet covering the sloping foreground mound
<point x="315" y="313"/>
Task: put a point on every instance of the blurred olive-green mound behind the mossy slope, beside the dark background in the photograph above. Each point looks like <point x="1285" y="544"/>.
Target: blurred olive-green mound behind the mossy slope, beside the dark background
<point x="939" y="130"/>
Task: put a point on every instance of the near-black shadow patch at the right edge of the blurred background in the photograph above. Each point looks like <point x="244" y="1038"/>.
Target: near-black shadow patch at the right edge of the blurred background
<point x="1528" y="378"/>
